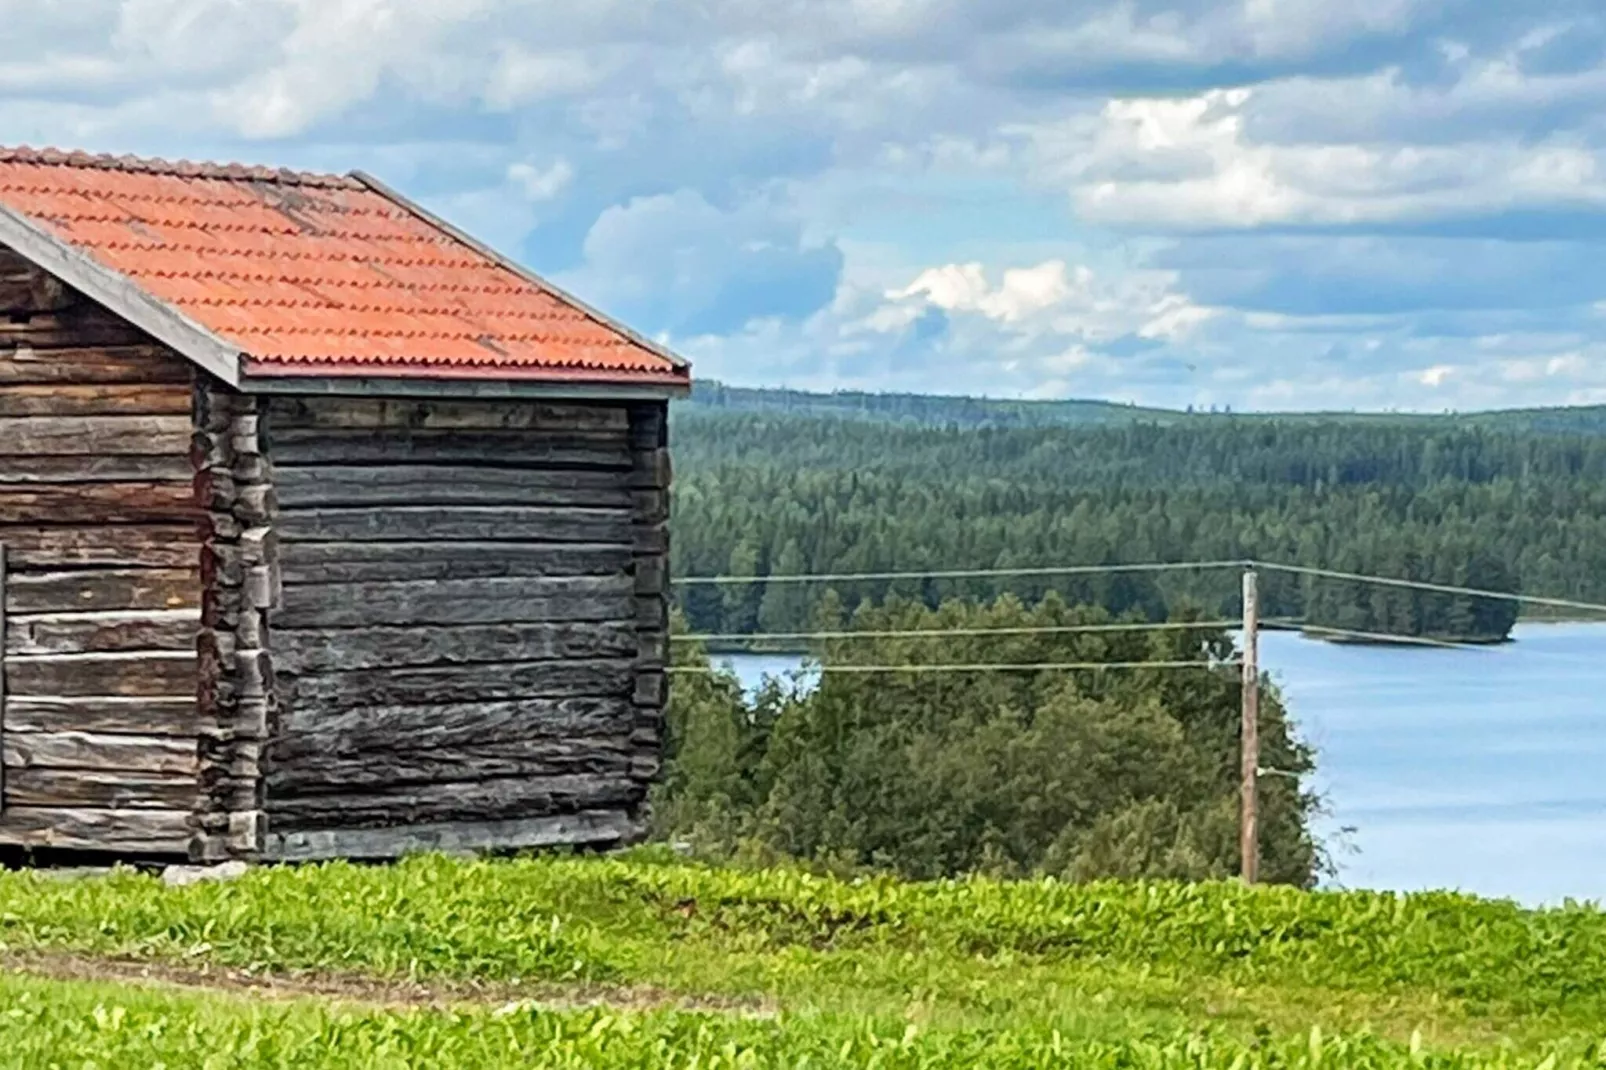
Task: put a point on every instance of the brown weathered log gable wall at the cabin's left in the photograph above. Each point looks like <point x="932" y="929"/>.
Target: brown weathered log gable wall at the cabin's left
<point x="102" y="598"/>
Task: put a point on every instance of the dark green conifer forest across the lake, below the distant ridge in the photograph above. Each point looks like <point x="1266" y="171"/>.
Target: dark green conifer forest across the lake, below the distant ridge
<point x="1482" y="502"/>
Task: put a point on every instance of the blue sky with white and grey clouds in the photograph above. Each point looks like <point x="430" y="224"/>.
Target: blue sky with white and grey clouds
<point x="1271" y="205"/>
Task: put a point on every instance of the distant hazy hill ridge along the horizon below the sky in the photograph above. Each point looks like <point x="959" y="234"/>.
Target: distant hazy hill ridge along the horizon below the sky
<point x="927" y="410"/>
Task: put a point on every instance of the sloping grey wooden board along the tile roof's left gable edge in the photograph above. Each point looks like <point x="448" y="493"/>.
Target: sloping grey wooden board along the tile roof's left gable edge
<point x="121" y="295"/>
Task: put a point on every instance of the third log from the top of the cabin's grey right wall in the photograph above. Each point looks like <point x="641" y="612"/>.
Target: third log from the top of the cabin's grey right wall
<point x="449" y="484"/>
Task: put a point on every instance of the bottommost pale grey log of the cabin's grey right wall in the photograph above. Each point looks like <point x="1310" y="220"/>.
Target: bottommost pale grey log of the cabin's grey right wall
<point x="592" y="828"/>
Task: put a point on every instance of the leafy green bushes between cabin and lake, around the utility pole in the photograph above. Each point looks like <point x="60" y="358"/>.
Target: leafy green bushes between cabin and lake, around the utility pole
<point x="1080" y="775"/>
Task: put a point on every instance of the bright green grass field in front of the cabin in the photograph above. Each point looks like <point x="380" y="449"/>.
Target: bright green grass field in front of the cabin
<point x="645" y="962"/>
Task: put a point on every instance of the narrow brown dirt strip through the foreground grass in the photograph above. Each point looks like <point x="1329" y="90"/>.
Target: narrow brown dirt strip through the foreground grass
<point x="367" y="992"/>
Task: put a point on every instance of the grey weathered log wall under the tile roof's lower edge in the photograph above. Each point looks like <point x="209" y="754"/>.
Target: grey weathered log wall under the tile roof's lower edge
<point x="470" y="647"/>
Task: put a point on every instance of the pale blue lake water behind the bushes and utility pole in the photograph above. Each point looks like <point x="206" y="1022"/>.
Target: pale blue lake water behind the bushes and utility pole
<point x="1477" y="770"/>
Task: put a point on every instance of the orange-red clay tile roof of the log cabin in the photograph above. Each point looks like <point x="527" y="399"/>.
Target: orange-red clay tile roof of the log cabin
<point x="320" y="274"/>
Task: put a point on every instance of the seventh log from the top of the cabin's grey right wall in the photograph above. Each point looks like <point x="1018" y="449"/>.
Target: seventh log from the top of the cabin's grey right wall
<point x="316" y="651"/>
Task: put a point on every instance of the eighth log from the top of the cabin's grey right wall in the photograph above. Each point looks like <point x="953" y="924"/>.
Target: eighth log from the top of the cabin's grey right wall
<point x="462" y="684"/>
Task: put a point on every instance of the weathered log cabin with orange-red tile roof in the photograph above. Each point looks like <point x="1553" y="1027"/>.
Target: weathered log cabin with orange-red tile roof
<point x="325" y="531"/>
